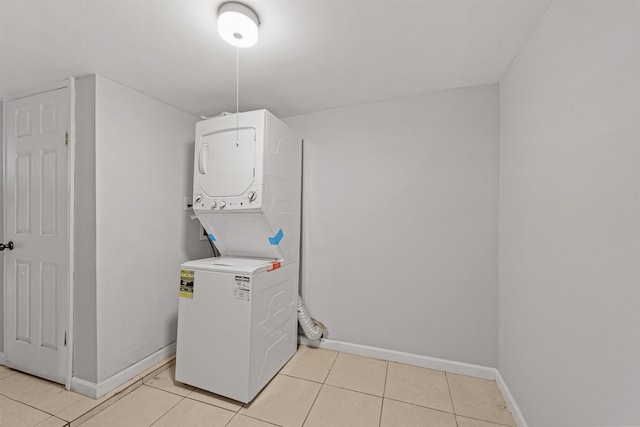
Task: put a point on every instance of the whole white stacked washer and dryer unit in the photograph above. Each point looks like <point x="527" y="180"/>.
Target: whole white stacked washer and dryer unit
<point x="237" y="313"/>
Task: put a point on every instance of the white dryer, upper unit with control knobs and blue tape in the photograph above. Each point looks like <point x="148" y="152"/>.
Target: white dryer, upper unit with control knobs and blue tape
<point x="247" y="185"/>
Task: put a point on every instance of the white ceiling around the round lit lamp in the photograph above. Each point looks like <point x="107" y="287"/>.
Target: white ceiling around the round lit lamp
<point x="312" y="54"/>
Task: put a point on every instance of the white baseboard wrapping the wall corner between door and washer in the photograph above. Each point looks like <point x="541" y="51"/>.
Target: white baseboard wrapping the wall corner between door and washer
<point x="97" y="390"/>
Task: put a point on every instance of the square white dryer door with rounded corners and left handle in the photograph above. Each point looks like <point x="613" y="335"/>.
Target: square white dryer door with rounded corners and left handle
<point x="225" y="162"/>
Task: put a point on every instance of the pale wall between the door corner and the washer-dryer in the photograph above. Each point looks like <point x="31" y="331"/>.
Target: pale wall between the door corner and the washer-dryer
<point x="143" y="170"/>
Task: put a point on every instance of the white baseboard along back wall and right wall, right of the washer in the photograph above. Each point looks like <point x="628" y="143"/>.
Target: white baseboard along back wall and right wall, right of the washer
<point x="451" y="366"/>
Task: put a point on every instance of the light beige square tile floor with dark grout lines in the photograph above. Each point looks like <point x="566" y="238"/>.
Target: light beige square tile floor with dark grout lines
<point x="317" y="388"/>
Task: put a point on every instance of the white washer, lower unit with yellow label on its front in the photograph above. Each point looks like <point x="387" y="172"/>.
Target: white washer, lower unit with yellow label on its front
<point x="237" y="323"/>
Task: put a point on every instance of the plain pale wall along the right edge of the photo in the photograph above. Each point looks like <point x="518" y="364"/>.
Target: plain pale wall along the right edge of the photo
<point x="569" y="218"/>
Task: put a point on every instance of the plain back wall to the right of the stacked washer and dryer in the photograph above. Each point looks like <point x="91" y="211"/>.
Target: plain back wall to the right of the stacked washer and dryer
<point x="400" y="223"/>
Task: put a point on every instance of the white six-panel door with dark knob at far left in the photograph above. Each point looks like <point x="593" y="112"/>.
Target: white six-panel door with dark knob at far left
<point x="36" y="220"/>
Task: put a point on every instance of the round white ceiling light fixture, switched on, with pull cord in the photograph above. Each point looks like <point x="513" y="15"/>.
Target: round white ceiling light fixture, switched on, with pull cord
<point x="238" y="24"/>
